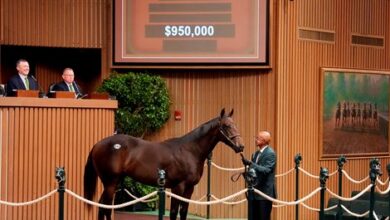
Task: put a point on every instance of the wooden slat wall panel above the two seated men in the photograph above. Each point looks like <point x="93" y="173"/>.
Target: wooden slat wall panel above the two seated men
<point x="60" y="23"/>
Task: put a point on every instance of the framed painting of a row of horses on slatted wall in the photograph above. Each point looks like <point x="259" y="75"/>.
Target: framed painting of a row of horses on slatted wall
<point x="354" y="113"/>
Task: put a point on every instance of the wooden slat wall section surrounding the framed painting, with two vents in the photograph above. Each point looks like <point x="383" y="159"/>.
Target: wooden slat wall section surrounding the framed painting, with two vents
<point x="298" y="94"/>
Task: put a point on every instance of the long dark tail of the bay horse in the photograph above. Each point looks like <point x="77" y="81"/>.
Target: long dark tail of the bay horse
<point x="90" y="179"/>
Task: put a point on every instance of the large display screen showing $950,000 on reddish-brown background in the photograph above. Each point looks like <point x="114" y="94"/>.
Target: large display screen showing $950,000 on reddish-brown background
<point x="196" y="31"/>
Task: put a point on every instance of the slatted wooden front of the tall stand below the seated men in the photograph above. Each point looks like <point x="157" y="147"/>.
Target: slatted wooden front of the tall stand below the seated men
<point x="34" y="141"/>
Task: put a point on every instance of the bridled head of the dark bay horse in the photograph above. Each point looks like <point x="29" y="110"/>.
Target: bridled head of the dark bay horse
<point x="229" y="132"/>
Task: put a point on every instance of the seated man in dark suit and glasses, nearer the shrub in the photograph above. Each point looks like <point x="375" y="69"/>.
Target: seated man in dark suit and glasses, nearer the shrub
<point x="68" y="83"/>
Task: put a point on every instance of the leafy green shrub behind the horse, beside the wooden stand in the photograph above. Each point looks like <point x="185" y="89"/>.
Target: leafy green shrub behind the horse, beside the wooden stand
<point x="143" y="108"/>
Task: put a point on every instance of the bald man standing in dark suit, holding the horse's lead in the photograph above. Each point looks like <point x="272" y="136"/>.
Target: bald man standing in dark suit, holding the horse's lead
<point x="263" y="161"/>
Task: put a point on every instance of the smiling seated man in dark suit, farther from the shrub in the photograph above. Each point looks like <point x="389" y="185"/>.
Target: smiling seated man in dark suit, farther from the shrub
<point x="21" y="81"/>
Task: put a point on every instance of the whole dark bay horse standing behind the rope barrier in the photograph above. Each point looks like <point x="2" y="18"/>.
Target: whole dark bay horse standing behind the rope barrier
<point x="181" y="158"/>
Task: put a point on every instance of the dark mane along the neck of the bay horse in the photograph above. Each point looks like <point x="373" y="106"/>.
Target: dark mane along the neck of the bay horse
<point x="200" y="131"/>
